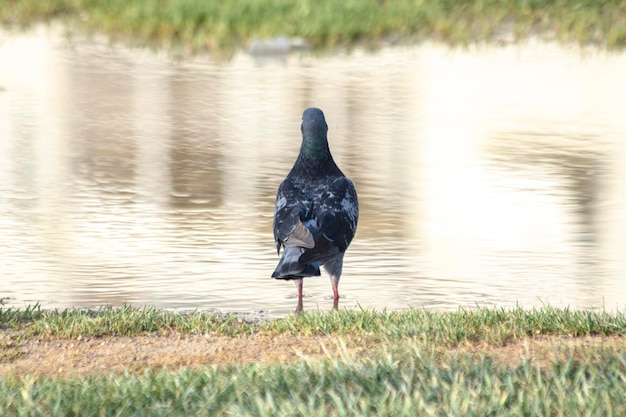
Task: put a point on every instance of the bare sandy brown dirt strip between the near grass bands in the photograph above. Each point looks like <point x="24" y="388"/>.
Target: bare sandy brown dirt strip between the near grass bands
<point x="86" y="356"/>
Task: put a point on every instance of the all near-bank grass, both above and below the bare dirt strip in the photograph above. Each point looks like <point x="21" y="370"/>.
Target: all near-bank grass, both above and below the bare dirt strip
<point x="406" y="375"/>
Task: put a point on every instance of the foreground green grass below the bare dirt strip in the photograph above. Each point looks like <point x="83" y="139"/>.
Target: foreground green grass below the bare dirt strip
<point x="409" y="383"/>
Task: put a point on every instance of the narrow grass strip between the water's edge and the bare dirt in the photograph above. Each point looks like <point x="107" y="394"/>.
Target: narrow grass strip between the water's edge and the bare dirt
<point x="491" y="325"/>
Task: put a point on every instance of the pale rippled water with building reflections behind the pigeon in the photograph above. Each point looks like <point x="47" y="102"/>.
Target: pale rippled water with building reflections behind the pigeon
<point x="493" y="175"/>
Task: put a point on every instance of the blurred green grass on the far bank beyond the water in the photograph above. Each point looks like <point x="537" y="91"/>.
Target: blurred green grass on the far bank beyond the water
<point x="200" y="25"/>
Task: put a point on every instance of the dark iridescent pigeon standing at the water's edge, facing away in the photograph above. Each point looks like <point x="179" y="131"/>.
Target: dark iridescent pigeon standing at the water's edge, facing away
<point x="316" y="212"/>
